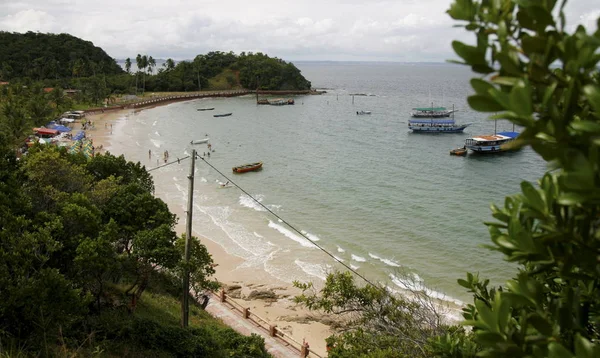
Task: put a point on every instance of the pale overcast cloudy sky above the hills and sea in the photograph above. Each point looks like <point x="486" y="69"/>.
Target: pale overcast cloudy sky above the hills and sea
<point x="337" y="30"/>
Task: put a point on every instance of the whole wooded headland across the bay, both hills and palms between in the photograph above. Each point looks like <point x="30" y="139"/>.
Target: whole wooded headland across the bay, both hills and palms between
<point x="64" y="61"/>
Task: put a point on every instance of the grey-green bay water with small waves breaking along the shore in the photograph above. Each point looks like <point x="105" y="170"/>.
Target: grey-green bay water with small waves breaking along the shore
<point x="372" y="193"/>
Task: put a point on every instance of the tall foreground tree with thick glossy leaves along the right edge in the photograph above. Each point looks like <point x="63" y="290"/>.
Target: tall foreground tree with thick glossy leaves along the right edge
<point x="545" y="80"/>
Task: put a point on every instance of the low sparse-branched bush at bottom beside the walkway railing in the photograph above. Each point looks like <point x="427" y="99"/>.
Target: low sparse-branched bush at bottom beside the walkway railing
<point x="374" y="322"/>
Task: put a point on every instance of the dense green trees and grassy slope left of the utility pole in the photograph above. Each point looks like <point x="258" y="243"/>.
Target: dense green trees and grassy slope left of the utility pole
<point x="81" y="242"/>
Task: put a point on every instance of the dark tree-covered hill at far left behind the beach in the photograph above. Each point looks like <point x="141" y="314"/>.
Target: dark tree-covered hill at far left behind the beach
<point x="40" y="56"/>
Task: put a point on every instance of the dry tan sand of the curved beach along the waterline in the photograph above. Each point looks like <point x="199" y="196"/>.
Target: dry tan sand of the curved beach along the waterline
<point x="240" y="283"/>
